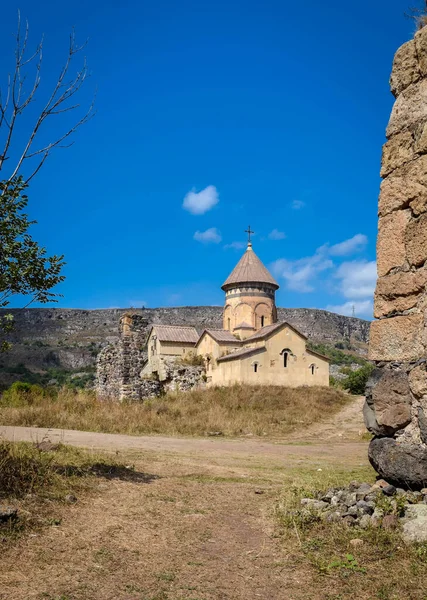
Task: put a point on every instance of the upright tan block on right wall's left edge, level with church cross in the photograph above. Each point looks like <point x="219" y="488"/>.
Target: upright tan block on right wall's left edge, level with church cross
<point x="391" y="250"/>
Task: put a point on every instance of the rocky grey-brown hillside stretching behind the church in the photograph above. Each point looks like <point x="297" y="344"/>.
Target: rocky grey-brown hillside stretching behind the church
<point x="69" y="339"/>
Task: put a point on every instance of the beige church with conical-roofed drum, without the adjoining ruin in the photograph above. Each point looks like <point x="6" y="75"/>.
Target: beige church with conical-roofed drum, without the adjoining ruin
<point x="252" y="347"/>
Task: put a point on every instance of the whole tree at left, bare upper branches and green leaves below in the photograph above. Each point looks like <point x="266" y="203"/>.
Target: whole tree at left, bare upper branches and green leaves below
<point x="25" y="108"/>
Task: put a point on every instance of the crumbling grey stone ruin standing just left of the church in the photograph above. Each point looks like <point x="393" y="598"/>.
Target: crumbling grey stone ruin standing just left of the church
<point x="119" y="366"/>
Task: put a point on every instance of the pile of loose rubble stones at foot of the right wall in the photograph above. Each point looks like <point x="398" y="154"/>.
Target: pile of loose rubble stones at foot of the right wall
<point x="379" y="505"/>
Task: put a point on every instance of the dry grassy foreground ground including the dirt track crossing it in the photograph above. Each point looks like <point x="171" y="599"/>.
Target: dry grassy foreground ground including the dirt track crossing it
<point x="196" y="519"/>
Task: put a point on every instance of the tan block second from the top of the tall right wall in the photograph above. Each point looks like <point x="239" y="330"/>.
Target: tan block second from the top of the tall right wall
<point x="409" y="109"/>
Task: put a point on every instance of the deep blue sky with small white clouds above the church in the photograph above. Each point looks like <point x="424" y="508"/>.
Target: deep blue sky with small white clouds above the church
<point x="211" y="116"/>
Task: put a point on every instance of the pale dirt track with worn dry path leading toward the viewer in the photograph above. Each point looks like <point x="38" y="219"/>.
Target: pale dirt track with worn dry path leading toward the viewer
<point x="202" y="529"/>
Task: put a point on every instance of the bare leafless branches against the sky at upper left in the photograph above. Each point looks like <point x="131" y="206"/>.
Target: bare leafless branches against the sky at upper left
<point x="16" y="100"/>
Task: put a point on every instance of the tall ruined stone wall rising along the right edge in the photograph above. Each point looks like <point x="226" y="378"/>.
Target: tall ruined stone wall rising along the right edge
<point x="396" y="404"/>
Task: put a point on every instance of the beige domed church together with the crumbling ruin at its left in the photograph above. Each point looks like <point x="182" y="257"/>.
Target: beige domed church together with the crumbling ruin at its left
<point x="252" y="347"/>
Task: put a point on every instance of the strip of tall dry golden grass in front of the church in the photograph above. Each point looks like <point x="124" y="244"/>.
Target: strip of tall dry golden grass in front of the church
<point x="231" y="411"/>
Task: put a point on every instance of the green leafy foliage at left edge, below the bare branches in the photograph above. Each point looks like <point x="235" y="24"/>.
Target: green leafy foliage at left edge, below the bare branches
<point x="24" y="267"/>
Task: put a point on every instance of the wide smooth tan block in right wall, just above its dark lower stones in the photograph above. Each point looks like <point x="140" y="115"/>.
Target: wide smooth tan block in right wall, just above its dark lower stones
<point x="397" y="338"/>
